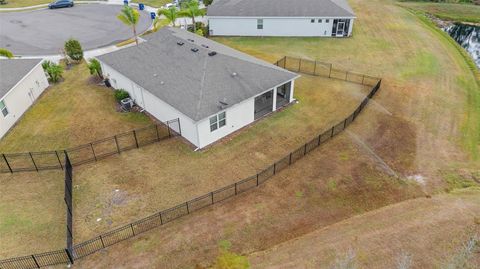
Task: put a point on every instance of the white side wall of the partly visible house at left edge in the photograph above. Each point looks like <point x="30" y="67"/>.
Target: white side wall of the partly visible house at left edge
<point x="22" y="96"/>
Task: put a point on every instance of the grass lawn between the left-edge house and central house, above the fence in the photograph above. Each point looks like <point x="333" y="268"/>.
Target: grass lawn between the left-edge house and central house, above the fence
<point x="73" y="112"/>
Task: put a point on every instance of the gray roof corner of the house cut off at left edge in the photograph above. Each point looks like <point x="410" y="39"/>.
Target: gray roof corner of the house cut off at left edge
<point x="12" y="71"/>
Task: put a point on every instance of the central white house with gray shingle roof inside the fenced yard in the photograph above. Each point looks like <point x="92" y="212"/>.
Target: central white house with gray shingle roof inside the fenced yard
<point x="214" y="90"/>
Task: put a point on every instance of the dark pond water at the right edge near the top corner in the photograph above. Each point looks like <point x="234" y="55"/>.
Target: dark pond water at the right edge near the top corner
<point x="468" y="36"/>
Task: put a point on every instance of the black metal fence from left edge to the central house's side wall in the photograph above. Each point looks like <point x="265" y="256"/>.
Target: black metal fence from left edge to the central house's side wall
<point x="91" y="152"/>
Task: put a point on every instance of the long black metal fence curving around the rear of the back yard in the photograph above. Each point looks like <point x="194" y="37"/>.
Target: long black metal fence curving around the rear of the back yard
<point x="81" y="250"/>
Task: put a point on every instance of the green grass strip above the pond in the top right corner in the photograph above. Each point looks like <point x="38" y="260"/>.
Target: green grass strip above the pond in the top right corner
<point x="448" y="11"/>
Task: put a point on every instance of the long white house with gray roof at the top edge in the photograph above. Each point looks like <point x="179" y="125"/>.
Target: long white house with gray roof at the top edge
<point x="318" y="18"/>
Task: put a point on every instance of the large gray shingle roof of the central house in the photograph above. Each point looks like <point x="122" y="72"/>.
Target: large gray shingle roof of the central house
<point x="194" y="82"/>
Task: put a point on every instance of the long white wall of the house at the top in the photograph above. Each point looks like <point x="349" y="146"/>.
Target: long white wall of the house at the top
<point x="247" y="26"/>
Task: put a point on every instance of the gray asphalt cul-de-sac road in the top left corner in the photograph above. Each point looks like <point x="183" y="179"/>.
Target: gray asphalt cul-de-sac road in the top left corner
<point x="43" y="32"/>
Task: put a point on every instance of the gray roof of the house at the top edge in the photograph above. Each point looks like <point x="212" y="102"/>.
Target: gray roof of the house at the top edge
<point x="280" y="8"/>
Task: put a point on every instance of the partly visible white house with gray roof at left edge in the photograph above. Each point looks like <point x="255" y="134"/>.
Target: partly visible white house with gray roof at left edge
<point x="21" y="83"/>
